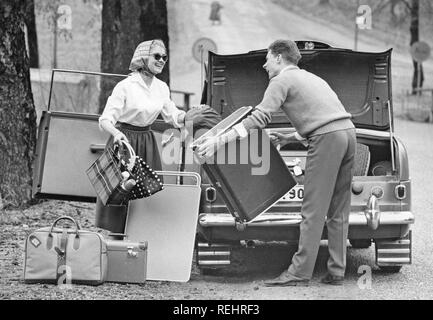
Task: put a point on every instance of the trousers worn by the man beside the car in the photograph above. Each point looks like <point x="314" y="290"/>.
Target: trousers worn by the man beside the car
<point x="327" y="186"/>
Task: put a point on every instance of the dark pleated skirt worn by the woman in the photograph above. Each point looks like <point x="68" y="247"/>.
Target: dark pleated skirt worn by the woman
<point x="142" y="140"/>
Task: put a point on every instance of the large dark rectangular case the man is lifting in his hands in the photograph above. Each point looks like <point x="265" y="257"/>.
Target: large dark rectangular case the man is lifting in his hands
<point x="246" y="189"/>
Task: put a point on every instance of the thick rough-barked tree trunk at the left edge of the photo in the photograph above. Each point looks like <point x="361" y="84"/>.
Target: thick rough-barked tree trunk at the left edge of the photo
<point x="17" y="111"/>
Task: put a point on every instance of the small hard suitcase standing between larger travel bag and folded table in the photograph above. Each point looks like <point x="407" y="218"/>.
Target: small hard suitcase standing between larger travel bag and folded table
<point x="127" y="261"/>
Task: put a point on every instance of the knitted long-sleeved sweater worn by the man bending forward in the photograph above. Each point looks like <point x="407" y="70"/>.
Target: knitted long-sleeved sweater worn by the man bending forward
<point x="309" y="102"/>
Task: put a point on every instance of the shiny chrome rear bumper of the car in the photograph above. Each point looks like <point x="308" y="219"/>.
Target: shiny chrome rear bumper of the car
<point x="294" y="219"/>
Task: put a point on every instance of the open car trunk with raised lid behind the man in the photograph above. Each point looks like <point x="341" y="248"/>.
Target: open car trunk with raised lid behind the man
<point x="361" y="80"/>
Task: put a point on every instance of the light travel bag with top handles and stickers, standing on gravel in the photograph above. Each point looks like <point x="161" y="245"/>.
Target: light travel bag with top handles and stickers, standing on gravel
<point x="65" y="255"/>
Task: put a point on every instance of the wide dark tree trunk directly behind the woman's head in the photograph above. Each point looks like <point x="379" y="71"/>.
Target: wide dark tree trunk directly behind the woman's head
<point x="125" y="24"/>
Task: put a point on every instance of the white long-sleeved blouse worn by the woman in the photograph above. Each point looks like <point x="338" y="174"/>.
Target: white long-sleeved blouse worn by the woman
<point x="133" y="102"/>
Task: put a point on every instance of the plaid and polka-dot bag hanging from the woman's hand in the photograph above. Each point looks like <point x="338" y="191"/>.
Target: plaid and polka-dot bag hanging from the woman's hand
<point x="105" y="175"/>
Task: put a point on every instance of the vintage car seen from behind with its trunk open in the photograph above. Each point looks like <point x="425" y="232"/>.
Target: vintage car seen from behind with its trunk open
<point x="381" y="188"/>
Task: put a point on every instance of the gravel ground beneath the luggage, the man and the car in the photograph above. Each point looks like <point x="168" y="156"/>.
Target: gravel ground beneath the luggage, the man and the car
<point x="252" y="265"/>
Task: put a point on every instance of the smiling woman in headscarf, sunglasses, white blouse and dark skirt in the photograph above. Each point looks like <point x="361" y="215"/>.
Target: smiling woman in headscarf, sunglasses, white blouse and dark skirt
<point x="133" y="106"/>
